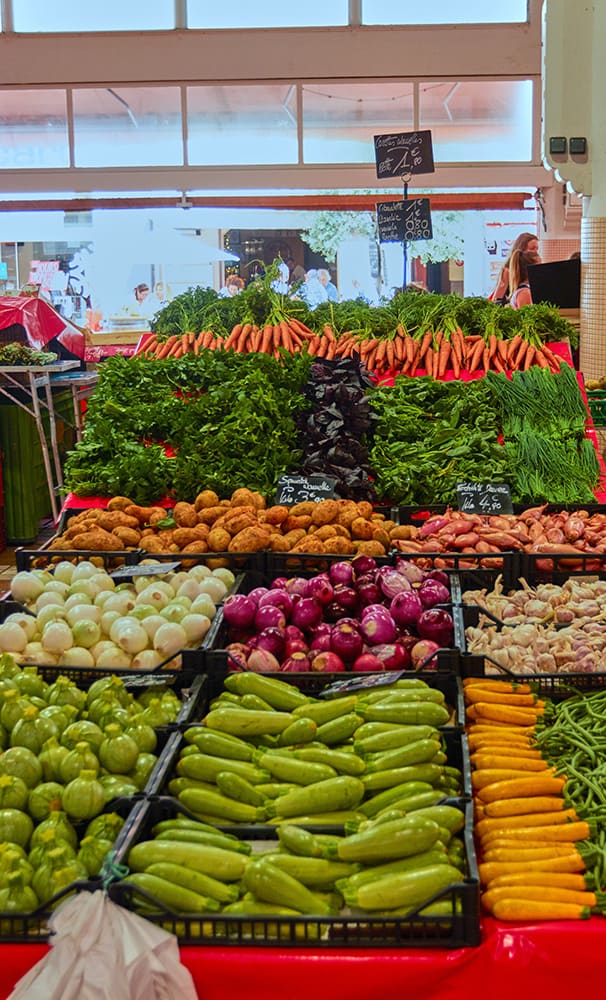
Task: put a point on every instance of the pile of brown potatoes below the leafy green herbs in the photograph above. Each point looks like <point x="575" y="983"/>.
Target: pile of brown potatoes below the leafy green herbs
<point x="244" y="523"/>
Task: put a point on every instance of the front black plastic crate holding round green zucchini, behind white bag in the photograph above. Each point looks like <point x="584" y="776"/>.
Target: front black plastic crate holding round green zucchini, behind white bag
<point x="27" y="928"/>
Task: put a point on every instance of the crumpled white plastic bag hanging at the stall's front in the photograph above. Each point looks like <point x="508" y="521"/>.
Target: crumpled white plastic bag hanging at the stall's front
<point x="101" y="951"/>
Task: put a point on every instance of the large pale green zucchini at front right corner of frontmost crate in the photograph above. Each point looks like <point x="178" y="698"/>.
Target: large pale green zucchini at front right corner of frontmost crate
<point x="403" y="889"/>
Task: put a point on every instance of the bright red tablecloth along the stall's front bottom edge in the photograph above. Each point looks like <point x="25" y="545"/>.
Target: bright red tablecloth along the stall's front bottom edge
<point x="558" y="960"/>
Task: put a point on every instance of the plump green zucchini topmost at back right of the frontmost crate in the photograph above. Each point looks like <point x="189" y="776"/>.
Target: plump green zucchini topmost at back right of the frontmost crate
<point x="398" y="839"/>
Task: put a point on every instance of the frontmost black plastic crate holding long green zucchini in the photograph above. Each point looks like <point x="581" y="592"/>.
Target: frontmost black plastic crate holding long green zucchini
<point x="349" y="930"/>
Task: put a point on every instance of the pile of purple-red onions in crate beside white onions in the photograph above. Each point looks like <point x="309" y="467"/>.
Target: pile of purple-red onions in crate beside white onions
<point x="357" y="616"/>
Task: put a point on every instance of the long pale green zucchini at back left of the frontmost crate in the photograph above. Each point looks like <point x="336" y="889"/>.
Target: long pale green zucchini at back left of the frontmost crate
<point x="225" y="865"/>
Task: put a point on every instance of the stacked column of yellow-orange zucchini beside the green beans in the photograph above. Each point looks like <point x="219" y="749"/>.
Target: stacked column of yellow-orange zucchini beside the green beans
<point x="534" y="849"/>
